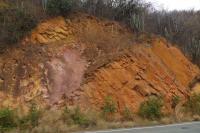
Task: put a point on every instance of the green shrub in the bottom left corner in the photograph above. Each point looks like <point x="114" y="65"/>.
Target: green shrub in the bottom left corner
<point x="7" y="120"/>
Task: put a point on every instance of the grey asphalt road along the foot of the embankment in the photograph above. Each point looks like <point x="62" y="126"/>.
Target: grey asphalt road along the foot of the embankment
<point x="193" y="127"/>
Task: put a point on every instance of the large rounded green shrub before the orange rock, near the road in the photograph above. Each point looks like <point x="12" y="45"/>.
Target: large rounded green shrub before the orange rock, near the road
<point x="151" y="109"/>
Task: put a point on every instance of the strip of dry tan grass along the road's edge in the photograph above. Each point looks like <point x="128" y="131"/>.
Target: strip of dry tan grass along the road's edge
<point x="52" y="122"/>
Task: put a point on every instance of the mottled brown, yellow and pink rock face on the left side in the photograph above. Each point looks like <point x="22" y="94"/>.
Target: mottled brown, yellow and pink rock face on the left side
<point x="37" y="74"/>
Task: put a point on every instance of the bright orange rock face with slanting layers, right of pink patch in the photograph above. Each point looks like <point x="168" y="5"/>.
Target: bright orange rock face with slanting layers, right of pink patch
<point x="140" y="73"/>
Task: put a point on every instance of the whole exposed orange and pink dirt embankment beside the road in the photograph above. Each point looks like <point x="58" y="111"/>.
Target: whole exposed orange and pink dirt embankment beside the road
<point x="82" y="60"/>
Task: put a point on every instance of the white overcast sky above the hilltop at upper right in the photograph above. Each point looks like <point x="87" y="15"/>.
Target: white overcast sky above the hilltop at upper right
<point x="176" y="4"/>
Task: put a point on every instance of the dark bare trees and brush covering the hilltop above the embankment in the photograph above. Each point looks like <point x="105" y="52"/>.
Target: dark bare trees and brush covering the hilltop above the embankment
<point x="181" y="27"/>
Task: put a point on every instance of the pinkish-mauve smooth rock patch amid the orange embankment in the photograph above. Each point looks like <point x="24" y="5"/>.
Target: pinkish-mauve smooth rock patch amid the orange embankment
<point x="64" y="76"/>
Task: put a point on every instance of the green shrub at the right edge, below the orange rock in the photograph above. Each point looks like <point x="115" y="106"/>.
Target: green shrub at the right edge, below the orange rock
<point x="193" y="104"/>
